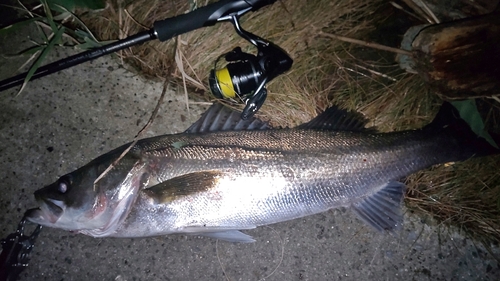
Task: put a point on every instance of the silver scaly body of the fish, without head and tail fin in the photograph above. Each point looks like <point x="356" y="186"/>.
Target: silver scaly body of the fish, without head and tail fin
<point x="240" y="180"/>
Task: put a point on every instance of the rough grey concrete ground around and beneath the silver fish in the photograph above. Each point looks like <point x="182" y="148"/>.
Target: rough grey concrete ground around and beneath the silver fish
<point x="62" y="121"/>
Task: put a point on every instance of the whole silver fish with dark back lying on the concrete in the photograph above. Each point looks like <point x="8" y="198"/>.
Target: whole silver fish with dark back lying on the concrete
<point x="224" y="175"/>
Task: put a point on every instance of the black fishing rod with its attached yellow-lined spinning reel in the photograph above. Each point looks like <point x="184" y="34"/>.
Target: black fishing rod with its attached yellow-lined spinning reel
<point x="263" y="66"/>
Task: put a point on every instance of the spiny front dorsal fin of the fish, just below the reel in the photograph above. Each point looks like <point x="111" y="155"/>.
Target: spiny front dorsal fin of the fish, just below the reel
<point x="222" y="118"/>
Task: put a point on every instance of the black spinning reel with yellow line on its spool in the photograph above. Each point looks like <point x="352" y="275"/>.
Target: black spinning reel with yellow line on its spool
<point x="245" y="76"/>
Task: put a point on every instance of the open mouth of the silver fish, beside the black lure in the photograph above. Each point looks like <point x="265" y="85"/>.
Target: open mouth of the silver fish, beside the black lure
<point x="48" y="212"/>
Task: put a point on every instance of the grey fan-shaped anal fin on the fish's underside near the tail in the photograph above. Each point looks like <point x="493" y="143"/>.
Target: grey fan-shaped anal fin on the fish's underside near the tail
<point x="382" y="210"/>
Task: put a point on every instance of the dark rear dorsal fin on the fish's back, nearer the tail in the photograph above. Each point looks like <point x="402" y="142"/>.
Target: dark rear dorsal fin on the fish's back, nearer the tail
<point x="335" y="119"/>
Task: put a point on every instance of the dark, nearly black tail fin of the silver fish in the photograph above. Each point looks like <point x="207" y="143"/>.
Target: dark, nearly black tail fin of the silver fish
<point x="470" y="144"/>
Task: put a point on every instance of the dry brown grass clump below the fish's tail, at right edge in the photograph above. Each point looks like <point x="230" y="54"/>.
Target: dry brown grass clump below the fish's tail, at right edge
<point x="464" y="195"/>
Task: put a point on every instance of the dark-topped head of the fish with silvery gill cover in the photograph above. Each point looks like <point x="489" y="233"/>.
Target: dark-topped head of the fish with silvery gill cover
<point x="83" y="202"/>
